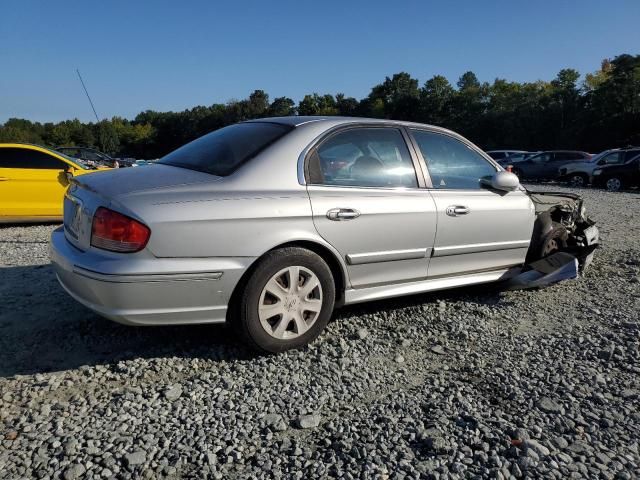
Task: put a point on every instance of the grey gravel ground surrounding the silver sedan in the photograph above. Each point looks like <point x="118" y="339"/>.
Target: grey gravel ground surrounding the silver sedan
<point x="471" y="383"/>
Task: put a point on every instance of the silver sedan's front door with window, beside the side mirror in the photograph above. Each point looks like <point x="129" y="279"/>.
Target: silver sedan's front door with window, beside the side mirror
<point x="478" y="229"/>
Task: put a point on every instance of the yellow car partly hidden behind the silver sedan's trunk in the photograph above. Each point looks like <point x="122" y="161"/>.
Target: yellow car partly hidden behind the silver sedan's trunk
<point x="33" y="181"/>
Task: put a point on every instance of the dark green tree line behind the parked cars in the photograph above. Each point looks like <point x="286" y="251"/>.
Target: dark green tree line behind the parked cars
<point x="599" y="112"/>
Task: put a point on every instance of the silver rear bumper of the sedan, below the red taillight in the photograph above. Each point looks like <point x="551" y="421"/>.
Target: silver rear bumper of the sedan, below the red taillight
<point x="174" y="292"/>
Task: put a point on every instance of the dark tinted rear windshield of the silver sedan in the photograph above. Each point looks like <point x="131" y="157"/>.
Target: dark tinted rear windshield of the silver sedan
<point x="223" y="151"/>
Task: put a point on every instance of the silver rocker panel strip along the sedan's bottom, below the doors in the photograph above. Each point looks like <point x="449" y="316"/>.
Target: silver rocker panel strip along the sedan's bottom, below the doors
<point x="442" y="283"/>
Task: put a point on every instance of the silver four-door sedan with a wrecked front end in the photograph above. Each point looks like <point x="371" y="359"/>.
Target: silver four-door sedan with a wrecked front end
<point x="269" y="224"/>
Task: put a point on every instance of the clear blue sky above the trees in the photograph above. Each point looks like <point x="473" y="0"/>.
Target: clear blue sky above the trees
<point x="172" y="55"/>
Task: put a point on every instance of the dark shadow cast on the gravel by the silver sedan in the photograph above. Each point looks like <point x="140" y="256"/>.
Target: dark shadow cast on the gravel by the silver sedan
<point x="42" y="329"/>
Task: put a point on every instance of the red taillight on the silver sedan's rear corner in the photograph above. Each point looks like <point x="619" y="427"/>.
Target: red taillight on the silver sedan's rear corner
<point x="118" y="233"/>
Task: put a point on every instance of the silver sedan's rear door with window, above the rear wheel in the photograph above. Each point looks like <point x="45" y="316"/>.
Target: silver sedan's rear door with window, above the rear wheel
<point x="368" y="203"/>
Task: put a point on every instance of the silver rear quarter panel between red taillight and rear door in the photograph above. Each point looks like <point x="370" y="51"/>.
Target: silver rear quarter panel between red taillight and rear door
<point x="224" y="224"/>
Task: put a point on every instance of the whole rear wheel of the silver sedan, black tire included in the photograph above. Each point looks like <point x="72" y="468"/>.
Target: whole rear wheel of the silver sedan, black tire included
<point x="286" y="301"/>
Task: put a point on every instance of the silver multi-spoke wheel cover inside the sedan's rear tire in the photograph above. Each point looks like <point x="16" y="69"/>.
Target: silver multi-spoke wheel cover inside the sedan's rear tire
<point x="290" y="302"/>
